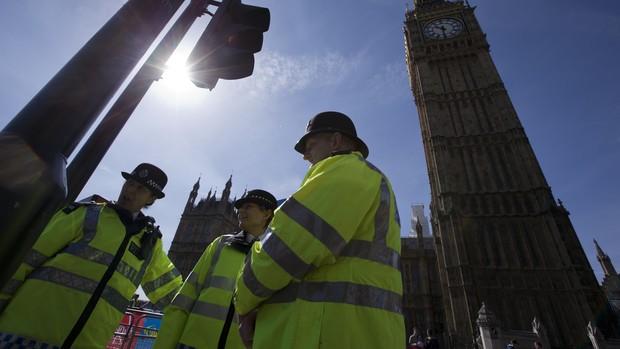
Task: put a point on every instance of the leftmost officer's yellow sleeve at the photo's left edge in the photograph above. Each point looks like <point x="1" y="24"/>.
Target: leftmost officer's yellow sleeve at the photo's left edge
<point x="62" y="229"/>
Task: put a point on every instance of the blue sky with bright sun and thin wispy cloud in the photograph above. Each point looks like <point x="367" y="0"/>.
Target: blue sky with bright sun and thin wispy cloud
<point x="557" y="58"/>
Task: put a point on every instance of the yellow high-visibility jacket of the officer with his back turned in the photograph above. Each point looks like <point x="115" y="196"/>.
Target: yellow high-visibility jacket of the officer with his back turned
<point x="327" y="275"/>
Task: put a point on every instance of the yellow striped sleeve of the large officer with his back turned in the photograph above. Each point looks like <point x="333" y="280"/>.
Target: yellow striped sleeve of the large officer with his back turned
<point x="310" y="229"/>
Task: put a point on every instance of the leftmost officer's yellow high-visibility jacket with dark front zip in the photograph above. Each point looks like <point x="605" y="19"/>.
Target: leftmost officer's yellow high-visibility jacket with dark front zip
<point x="53" y="286"/>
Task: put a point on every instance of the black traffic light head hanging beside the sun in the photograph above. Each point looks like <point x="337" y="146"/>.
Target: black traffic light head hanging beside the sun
<point x="226" y="48"/>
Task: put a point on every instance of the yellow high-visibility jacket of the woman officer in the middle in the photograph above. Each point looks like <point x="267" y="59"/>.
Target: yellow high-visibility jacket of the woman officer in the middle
<point x="196" y="317"/>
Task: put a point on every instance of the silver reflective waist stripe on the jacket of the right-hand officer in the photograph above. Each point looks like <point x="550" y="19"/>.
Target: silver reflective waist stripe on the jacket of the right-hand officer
<point x="340" y="292"/>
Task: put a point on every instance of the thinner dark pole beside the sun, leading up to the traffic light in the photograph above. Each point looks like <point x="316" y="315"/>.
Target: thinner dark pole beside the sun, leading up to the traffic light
<point x="92" y="152"/>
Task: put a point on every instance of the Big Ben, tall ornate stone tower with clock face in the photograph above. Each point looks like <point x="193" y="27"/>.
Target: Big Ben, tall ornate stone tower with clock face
<point x="501" y="237"/>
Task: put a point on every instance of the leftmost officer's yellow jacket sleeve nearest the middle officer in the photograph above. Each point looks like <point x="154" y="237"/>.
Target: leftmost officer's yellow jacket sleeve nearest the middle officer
<point x="161" y="280"/>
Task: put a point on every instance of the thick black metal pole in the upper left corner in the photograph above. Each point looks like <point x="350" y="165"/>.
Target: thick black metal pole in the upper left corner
<point x="35" y="144"/>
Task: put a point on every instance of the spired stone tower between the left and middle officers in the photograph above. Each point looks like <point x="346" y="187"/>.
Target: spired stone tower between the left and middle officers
<point x="200" y="224"/>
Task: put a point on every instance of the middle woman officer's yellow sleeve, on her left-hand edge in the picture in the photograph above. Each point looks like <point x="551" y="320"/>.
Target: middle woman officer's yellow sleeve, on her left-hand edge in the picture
<point x="176" y="314"/>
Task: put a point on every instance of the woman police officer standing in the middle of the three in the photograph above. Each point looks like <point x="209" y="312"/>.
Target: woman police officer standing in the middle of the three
<point x="202" y="313"/>
